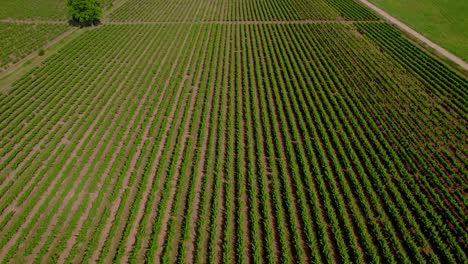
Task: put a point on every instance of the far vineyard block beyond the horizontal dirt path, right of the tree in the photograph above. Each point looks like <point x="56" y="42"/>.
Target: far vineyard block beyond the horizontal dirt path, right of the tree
<point x="239" y="10"/>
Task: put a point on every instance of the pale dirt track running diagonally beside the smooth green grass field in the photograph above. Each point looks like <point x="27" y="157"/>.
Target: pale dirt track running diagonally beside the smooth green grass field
<point x="417" y="35"/>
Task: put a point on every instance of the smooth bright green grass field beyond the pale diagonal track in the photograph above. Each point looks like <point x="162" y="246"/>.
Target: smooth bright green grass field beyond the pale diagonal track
<point x="444" y="22"/>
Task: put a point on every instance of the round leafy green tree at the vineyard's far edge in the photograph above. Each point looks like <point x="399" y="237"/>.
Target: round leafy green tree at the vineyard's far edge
<point x="85" y="12"/>
